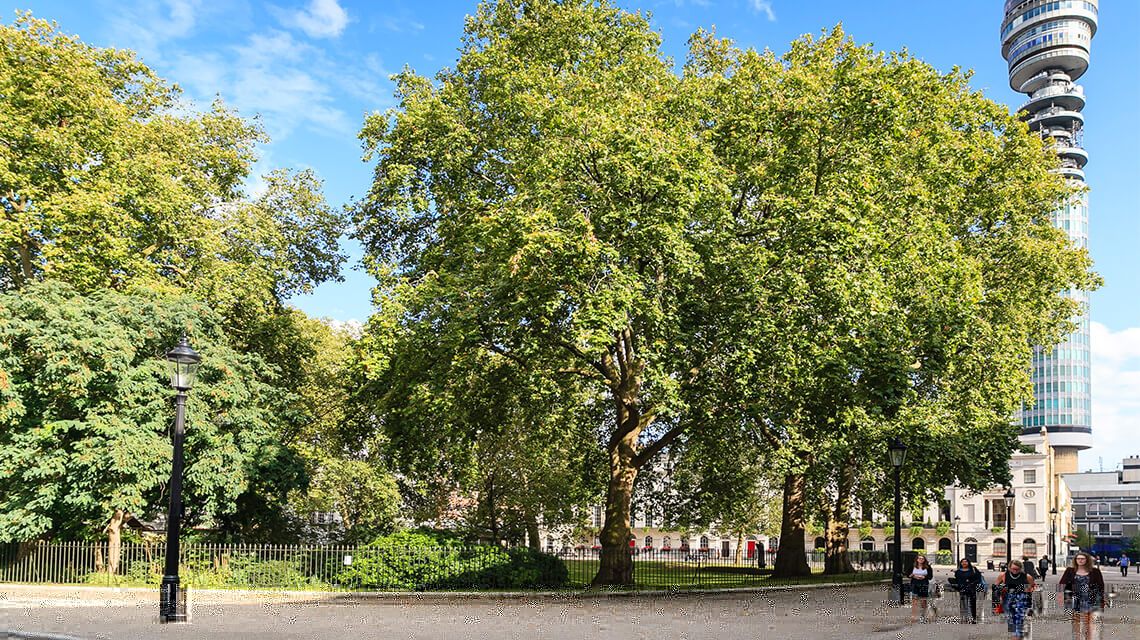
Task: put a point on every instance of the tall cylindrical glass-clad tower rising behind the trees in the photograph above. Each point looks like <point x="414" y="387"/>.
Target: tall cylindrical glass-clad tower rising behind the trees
<point x="1047" y="46"/>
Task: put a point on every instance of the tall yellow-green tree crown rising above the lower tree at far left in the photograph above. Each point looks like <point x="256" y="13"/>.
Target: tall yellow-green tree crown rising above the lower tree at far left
<point x="108" y="181"/>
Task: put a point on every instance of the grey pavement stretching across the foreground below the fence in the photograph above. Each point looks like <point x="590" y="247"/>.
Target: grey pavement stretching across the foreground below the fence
<point x="840" y="613"/>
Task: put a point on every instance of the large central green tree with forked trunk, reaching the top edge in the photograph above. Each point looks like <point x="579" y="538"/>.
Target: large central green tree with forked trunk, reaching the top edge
<point x="542" y="201"/>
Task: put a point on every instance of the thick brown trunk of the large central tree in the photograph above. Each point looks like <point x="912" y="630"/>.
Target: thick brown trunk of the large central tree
<point x="617" y="563"/>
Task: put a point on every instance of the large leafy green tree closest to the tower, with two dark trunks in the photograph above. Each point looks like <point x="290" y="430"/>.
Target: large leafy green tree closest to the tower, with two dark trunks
<point x="902" y="262"/>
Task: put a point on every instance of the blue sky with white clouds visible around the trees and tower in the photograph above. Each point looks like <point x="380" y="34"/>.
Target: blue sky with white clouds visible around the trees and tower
<point x="313" y="69"/>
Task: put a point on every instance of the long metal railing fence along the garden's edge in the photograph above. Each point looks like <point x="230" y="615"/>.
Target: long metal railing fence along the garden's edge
<point x="363" y="568"/>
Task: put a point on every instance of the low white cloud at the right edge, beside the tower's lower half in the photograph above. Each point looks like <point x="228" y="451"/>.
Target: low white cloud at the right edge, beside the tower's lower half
<point x="1115" y="396"/>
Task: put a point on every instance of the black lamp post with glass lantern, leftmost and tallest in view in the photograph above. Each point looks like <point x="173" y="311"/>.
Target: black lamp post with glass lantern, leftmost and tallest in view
<point x="184" y="367"/>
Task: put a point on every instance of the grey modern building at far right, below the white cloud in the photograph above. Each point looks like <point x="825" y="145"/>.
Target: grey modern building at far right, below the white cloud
<point x="1108" y="505"/>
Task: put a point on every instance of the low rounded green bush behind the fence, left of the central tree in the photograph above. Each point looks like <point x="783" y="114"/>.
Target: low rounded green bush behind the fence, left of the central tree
<point x="419" y="562"/>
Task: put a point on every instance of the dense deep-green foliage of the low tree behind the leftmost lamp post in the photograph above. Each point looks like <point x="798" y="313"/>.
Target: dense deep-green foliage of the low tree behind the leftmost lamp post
<point x="86" y="408"/>
